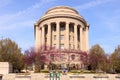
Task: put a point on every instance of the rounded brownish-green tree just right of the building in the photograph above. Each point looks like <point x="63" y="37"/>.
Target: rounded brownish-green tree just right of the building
<point x="97" y="58"/>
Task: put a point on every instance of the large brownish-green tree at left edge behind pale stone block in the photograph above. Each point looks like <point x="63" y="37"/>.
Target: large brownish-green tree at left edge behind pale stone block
<point x="10" y="52"/>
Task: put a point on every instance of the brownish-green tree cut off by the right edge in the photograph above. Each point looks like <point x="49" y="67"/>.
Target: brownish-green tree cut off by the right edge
<point x="115" y="60"/>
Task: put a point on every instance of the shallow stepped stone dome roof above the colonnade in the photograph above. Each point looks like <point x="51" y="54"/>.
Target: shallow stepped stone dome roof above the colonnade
<point x="61" y="11"/>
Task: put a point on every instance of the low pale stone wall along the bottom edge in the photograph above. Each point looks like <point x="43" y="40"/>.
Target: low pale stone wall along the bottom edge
<point x="40" y="76"/>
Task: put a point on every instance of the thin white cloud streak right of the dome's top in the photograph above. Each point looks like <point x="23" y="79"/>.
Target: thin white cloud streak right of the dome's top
<point x="92" y="4"/>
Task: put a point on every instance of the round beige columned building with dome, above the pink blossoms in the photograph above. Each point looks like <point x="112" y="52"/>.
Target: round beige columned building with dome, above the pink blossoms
<point x="63" y="28"/>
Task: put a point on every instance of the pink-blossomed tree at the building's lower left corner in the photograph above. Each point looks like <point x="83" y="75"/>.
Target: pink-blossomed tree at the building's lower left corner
<point x="38" y="58"/>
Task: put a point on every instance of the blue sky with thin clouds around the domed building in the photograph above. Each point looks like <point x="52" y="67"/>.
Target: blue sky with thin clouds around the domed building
<point x="17" y="18"/>
